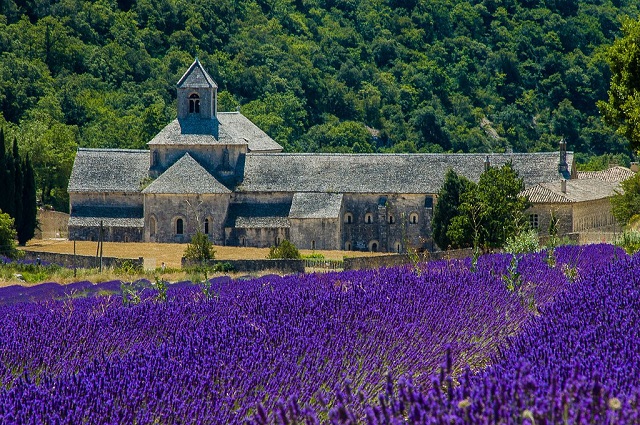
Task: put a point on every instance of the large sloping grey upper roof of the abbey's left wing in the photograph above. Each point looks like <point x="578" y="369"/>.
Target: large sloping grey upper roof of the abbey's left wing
<point x="109" y="170"/>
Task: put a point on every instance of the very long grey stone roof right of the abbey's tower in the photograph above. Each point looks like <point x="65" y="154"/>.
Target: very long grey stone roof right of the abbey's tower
<point x="383" y="173"/>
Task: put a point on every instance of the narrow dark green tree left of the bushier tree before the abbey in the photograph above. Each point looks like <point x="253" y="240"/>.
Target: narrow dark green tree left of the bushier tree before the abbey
<point x="449" y="200"/>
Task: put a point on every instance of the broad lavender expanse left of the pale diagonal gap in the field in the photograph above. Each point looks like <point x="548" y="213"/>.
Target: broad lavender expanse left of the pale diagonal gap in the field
<point x="244" y="347"/>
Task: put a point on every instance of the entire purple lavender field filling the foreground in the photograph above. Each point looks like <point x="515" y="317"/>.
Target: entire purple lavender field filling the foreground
<point x="544" y="338"/>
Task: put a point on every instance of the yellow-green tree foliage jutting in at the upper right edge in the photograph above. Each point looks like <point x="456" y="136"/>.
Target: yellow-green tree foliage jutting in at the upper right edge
<point x="622" y="110"/>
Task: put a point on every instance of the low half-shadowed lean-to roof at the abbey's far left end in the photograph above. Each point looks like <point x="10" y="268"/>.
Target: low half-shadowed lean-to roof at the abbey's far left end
<point x="111" y="216"/>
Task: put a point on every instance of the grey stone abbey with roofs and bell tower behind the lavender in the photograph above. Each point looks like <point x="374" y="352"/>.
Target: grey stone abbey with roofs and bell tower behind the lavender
<point x="217" y="173"/>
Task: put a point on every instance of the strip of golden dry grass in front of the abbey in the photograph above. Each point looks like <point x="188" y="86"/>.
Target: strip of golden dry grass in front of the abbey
<point x="167" y="253"/>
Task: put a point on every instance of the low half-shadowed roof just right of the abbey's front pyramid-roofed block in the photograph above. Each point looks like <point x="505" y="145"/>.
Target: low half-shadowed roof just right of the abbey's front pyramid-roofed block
<point x="258" y="215"/>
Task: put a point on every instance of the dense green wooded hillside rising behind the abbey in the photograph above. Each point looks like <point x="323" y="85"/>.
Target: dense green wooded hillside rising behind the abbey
<point x="317" y="75"/>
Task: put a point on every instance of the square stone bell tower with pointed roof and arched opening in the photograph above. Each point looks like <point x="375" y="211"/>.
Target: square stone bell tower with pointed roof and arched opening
<point x="197" y="94"/>
